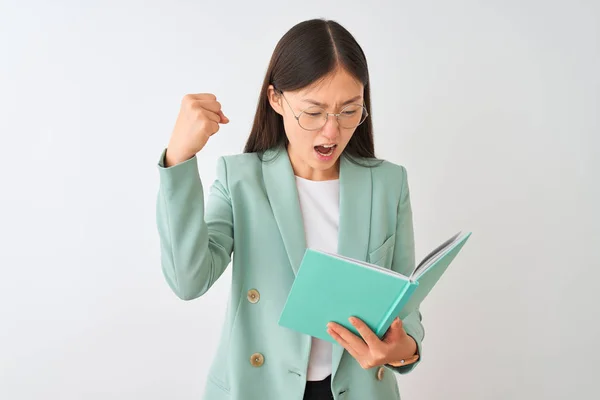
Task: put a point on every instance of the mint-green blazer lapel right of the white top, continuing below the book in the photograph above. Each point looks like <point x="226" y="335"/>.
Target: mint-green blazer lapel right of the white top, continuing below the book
<point x="355" y="222"/>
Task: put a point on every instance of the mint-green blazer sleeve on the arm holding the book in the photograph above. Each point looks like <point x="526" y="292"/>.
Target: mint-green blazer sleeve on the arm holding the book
<point x="404" y="262"/>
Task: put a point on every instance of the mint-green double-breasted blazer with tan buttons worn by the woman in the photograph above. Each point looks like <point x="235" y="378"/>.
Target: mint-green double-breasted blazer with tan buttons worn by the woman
<point x="252" y="215"/>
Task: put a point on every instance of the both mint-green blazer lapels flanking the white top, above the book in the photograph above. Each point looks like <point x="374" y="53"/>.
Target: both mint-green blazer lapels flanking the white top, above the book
<point x="355" y="206"/>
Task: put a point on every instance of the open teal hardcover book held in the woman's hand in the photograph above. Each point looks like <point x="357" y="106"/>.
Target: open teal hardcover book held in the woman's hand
<point x="330" y="287"/>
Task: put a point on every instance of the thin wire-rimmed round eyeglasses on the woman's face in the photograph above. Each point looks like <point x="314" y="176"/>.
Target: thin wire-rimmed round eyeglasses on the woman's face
<point x="314" y="117"/>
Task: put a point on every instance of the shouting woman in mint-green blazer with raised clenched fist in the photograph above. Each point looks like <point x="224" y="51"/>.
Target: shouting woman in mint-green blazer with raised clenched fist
<point x="308" y="178"/>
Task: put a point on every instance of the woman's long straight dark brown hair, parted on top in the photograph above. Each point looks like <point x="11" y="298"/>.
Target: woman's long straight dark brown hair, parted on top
<point x="305" y="54"/>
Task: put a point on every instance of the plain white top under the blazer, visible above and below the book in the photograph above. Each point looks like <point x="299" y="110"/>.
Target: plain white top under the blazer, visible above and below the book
<point x="319" y="203"/>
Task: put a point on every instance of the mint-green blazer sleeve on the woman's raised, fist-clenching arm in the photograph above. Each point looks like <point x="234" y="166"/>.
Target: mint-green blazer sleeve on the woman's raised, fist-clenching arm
<point x="195" y="244"/>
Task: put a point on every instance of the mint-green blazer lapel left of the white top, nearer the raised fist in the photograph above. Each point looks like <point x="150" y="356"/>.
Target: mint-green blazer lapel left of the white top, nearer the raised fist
<point x="280" y="184"/>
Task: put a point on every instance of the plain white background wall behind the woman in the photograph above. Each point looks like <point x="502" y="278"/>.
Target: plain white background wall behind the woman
<point x="491" y="106"/>
